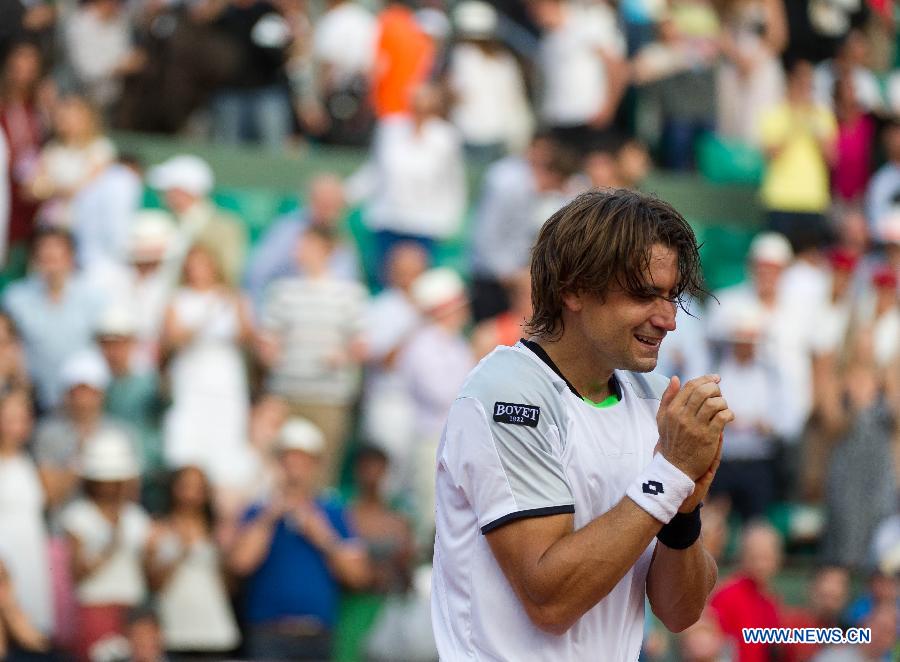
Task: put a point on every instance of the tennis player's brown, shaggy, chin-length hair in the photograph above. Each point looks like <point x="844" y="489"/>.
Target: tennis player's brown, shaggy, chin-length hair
<point x="604" y="238"/>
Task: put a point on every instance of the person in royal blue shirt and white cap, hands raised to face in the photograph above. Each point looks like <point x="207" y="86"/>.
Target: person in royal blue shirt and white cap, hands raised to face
<point x="295" y="552"/>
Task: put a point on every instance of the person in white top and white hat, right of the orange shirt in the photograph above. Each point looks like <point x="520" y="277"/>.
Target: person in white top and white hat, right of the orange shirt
<point x="490" y="106"/>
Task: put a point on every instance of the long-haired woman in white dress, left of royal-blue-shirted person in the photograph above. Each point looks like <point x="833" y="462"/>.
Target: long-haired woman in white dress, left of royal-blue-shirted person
<point x="184" y="567"/>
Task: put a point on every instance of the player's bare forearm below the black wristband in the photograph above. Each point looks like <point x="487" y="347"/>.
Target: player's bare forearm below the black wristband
<point x="679" y="583"/>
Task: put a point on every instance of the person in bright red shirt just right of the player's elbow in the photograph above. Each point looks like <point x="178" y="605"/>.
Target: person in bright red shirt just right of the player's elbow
<point x="745" y="600"/>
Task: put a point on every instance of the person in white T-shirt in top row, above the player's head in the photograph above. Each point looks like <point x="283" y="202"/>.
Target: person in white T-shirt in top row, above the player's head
<point x="582" y="70"/>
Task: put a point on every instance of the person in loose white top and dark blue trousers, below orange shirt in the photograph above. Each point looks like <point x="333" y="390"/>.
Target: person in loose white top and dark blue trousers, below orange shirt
<point x="414" y="183"/>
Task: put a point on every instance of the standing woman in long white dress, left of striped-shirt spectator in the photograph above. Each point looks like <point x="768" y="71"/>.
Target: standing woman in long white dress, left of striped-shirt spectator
<point x="206" y="327"/>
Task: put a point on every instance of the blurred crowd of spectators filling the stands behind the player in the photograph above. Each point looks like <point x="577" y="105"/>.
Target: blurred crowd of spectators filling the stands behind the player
<point x="205" y="444"/>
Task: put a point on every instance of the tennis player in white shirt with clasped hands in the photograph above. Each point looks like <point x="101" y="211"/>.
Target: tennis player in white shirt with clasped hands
<point x="569" y="476"/>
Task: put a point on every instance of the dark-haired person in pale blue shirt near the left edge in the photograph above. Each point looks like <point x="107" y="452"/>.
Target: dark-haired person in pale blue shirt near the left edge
<point x="55" y="312"/>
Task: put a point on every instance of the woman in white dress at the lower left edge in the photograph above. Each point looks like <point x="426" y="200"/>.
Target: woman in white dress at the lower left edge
<point x="23" y="533"/>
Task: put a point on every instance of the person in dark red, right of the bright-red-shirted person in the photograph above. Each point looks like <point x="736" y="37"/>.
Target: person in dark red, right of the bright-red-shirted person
<point x="828" y="593"/>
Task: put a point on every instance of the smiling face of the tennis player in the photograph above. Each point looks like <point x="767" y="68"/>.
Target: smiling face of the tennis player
<point x="625" y="331"/>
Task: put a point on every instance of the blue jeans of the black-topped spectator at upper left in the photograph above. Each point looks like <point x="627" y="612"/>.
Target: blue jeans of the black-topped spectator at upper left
<point x="260" y="115"/>
